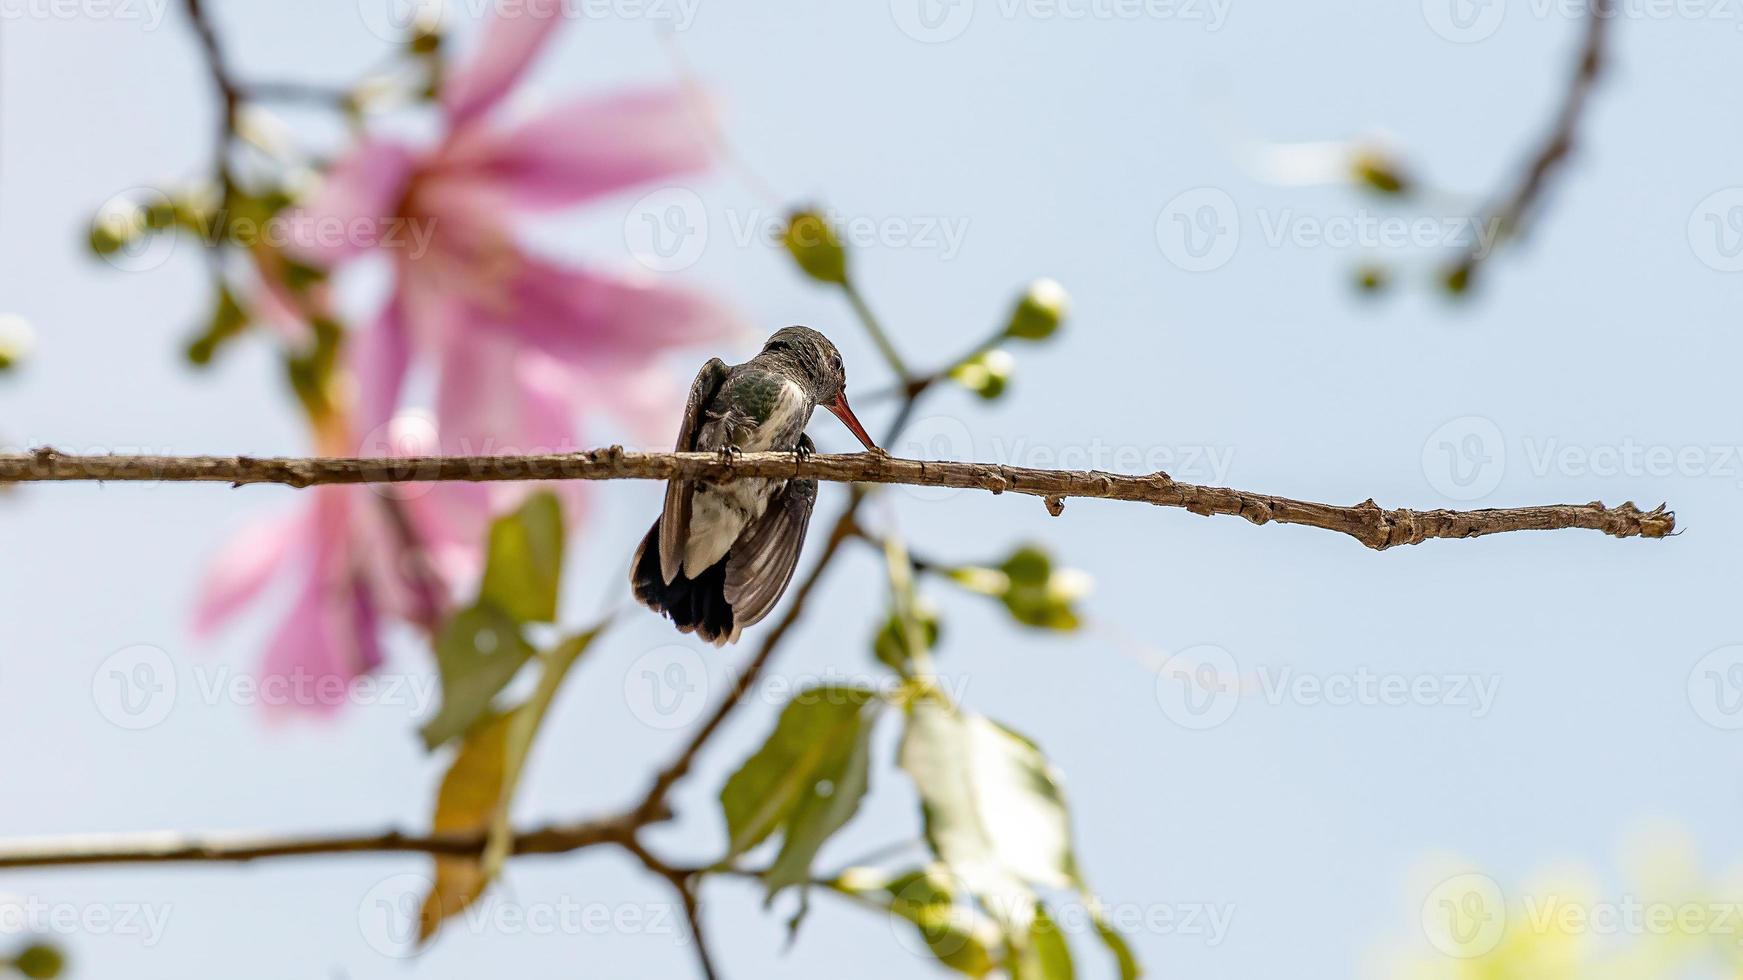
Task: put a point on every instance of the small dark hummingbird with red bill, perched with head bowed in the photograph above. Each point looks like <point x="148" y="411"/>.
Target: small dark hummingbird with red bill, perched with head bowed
<point x="722" y="554"/>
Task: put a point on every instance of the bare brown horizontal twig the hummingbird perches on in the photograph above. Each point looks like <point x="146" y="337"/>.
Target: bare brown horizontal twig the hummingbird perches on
<point x="1367" y="522"/>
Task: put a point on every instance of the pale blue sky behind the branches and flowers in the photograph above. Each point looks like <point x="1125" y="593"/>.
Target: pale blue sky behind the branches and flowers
<point x="1057" y="147"/>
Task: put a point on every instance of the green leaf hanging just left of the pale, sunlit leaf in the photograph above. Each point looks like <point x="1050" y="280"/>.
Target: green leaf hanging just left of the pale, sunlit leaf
<point x="806" y="780"/>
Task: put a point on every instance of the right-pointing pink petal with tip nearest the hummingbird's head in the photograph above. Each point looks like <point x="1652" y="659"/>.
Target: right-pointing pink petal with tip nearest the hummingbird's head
<point x="602" y="322"/>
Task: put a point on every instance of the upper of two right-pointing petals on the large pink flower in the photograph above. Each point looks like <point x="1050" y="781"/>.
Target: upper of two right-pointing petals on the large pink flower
<point x="587" y="149"/>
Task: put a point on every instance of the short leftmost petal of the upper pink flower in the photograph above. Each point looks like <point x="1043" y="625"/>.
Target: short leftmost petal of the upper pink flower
<point x="351" y="208"/>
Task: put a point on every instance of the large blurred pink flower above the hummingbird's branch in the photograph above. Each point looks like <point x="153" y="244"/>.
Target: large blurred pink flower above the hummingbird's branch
<point x="466" y="294"/>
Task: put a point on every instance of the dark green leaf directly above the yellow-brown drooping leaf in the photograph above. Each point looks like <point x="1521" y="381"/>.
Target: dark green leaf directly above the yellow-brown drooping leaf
<point x="478" y="653"/>
